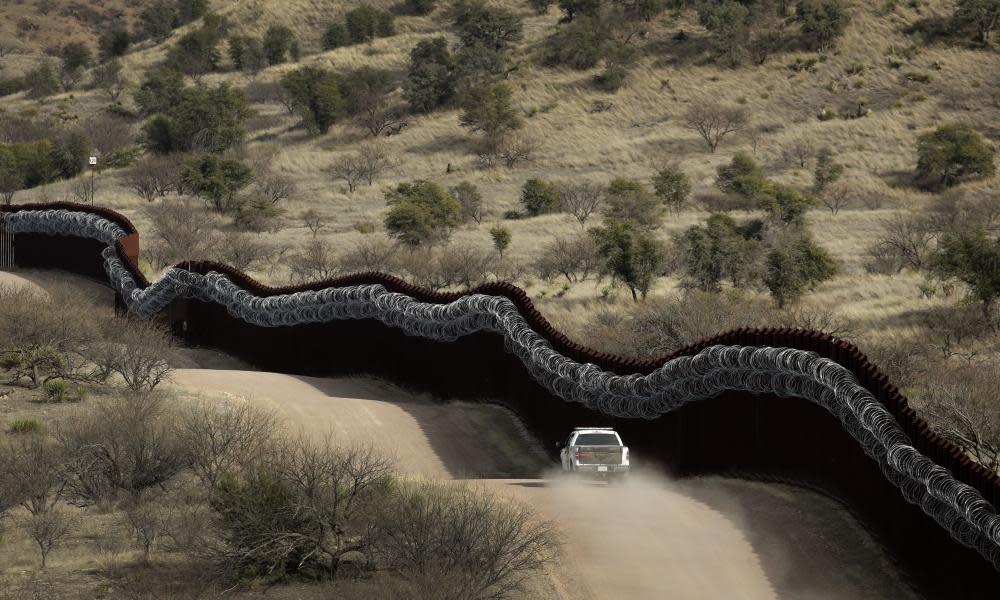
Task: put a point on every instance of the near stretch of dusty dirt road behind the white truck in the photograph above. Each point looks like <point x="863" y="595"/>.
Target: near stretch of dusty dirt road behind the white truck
<point x="650" y="537"/>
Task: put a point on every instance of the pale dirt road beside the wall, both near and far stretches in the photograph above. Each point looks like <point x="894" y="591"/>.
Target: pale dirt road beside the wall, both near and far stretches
<point x="651" y="538"/>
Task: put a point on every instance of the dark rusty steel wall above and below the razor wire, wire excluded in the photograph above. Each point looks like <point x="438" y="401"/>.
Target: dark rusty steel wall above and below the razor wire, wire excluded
<point x="768" y="437"/>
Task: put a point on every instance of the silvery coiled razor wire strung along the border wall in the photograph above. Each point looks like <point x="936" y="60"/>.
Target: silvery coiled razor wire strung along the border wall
<point x="787" y="372"/>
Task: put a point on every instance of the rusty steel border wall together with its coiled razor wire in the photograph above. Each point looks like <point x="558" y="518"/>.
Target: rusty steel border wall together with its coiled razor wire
<point x="771" y="386"/>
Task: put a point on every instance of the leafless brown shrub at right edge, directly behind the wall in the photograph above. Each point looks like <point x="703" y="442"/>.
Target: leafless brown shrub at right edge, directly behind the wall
<point x="961" y="409"/>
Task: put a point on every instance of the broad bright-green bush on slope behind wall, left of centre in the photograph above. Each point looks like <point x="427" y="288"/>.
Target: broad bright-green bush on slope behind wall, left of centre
<point x="421" y="212"/>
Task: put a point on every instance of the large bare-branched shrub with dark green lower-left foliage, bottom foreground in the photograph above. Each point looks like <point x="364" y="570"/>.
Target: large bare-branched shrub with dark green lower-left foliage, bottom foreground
<point x="318" y="517"/>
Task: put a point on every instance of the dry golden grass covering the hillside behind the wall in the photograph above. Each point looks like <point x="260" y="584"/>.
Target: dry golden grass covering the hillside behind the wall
<point x="906" y="84"/>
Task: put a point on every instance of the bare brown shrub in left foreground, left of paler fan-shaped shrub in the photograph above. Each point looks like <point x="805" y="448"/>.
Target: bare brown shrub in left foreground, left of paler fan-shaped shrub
<point x="122" y="446"/>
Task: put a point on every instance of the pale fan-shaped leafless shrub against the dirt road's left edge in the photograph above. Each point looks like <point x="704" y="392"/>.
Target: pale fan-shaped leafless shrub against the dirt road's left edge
<point x="223" y="437"/>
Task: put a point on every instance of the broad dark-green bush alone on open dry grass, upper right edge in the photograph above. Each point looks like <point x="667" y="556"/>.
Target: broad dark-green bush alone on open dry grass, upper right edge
<point x="951" y="154"/>
